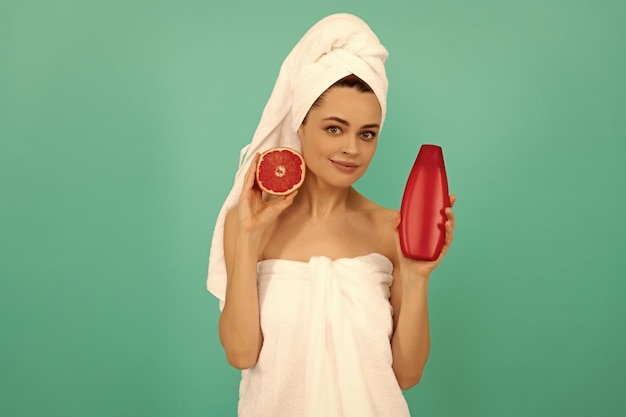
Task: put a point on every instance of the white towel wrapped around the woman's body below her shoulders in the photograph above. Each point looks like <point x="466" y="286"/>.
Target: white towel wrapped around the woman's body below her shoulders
<point x="326" y="350"/>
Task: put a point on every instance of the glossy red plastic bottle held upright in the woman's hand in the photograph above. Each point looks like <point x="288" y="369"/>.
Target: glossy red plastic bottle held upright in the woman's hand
<point x="422" y="216"/>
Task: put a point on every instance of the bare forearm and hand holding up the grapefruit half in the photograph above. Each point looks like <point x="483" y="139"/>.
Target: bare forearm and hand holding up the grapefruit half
<point x="240" y="325"/>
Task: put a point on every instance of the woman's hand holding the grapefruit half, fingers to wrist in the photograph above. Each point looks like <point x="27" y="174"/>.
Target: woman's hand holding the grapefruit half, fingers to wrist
<point x="255" y="214"/>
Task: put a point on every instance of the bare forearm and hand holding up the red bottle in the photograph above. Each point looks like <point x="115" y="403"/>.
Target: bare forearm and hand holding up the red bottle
<point x="410" y="343"/>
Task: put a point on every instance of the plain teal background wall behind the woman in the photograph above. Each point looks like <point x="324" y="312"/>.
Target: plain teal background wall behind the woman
<point x="120" y="126"/>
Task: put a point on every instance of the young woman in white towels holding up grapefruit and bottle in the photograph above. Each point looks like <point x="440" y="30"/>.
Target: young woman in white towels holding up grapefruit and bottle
<point x="320" y="309"/>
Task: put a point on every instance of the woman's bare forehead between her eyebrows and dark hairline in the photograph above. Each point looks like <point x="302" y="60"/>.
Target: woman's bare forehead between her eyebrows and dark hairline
<point x="349" y="104"/>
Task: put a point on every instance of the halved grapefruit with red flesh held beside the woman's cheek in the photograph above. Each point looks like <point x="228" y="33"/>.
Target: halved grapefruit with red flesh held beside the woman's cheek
<point x="280" y="171"/>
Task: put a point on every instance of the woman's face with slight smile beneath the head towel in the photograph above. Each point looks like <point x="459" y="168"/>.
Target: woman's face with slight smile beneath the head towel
<point x="340" y="136"/>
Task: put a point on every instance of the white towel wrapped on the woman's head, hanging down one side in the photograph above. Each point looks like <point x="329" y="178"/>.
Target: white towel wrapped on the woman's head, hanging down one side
<point x="337" y="46"/>
